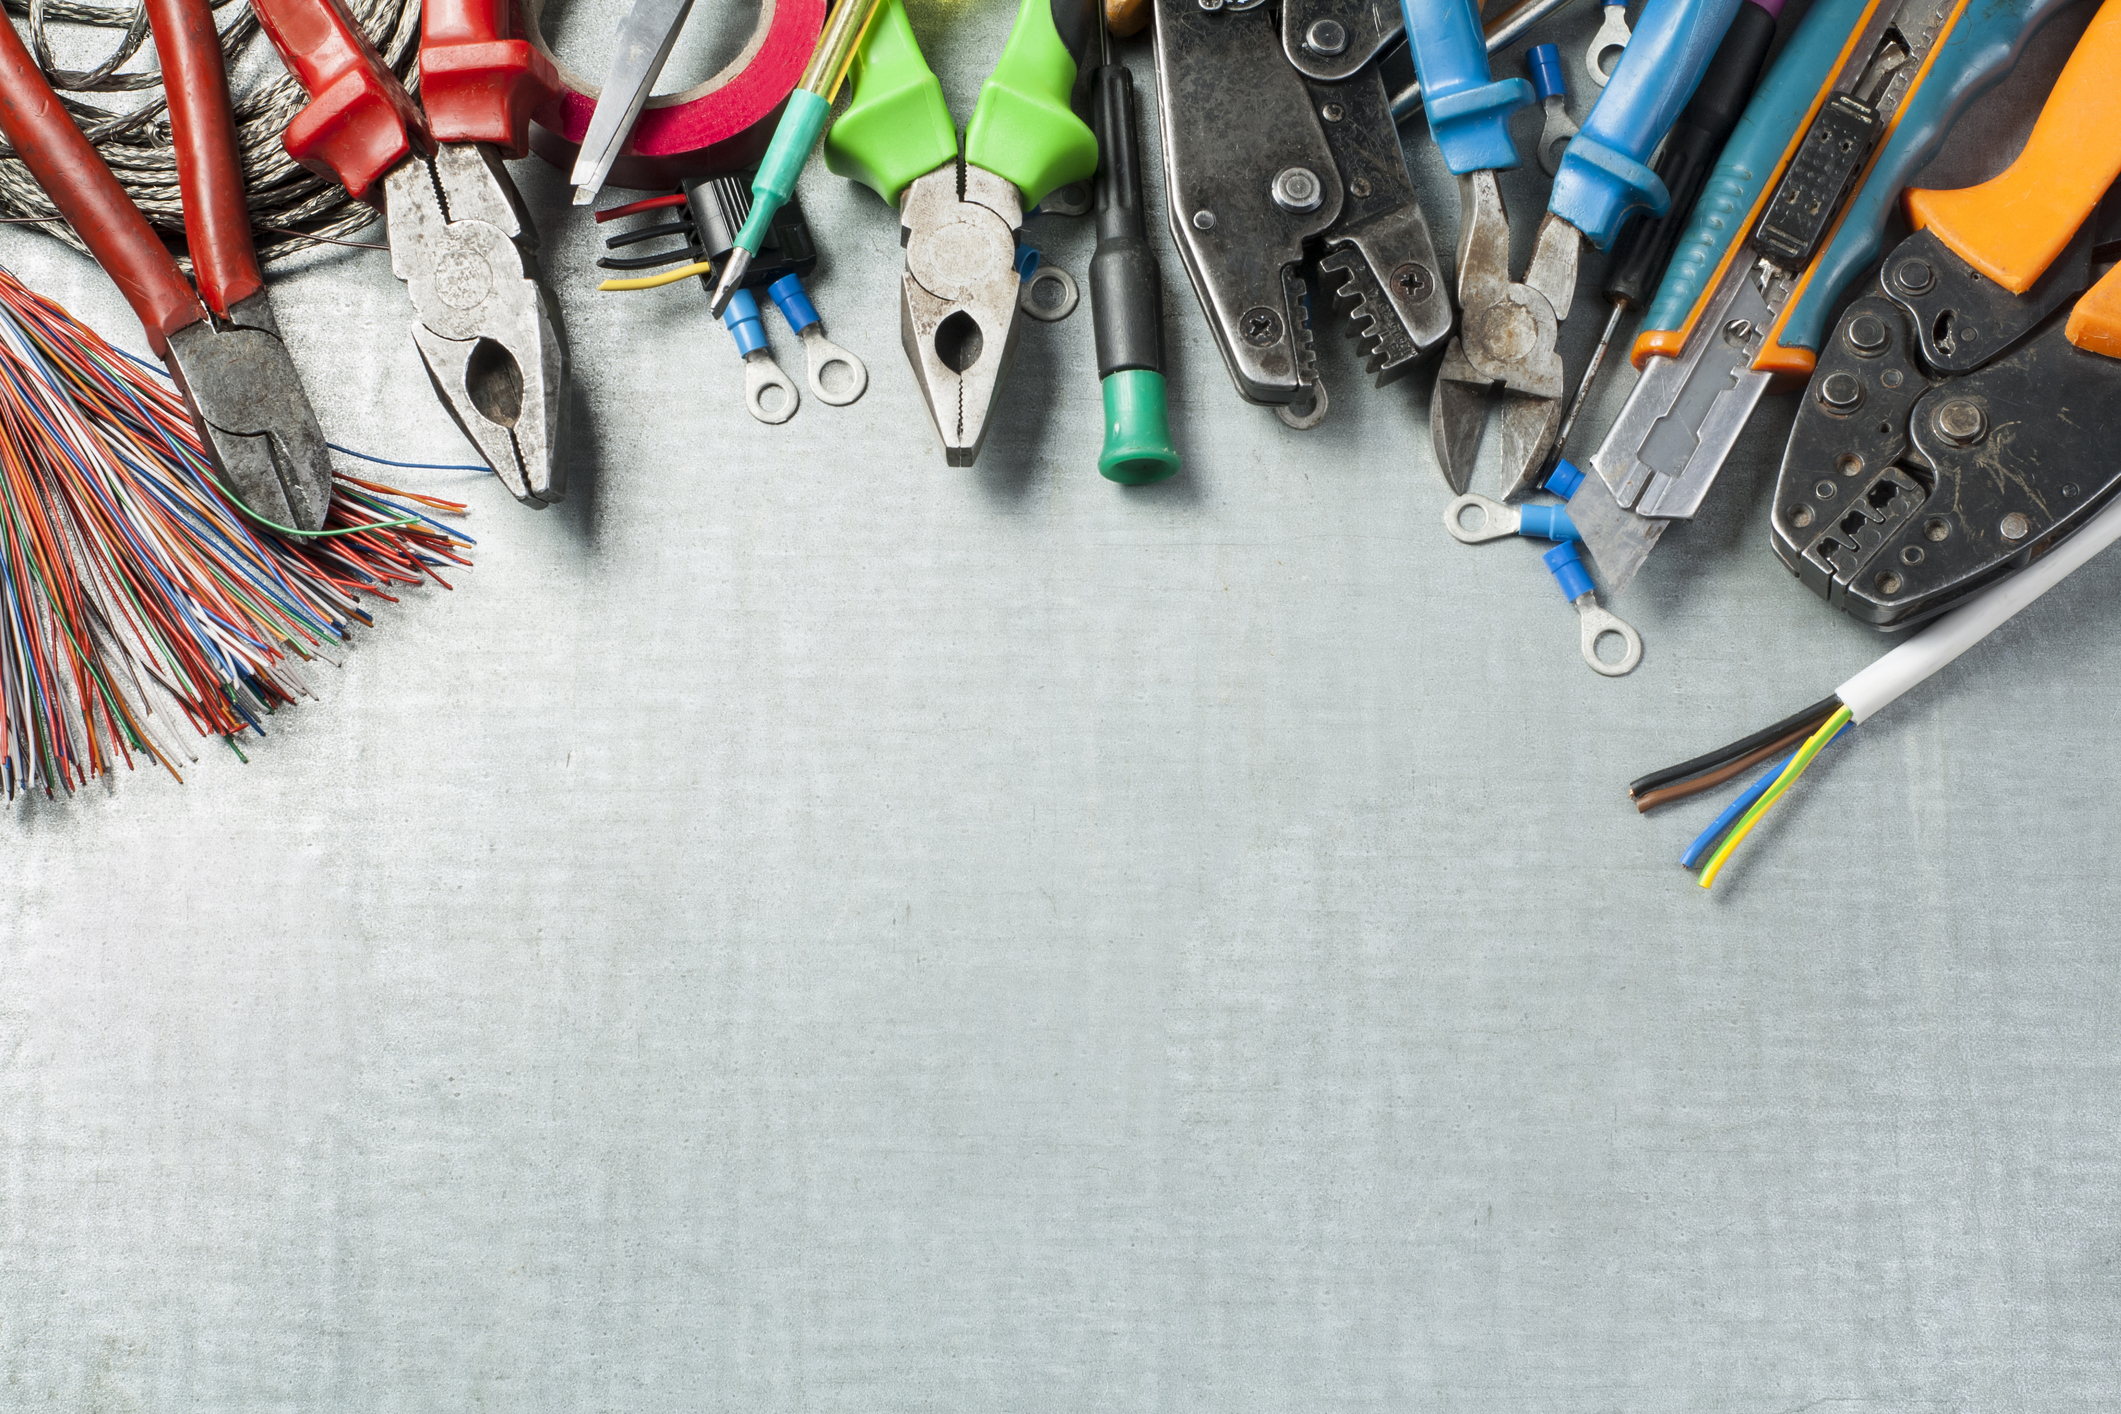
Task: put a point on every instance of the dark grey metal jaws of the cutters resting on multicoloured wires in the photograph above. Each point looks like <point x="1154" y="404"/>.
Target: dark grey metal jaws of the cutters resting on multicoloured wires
<point x="256" y="421"/>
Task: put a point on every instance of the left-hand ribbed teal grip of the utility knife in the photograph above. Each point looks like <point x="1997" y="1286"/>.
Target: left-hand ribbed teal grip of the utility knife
<point x="1721" y="217"/>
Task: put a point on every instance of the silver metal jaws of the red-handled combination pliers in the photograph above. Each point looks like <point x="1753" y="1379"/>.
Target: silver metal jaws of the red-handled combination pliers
<point x="489" y="332"/>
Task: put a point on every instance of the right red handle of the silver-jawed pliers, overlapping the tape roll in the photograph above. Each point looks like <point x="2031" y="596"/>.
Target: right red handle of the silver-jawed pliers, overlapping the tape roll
<point x="478" y="82"/>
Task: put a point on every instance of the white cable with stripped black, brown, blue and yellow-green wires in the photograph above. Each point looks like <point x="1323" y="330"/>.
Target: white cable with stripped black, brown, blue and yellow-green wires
<point x="1800" y="739"/>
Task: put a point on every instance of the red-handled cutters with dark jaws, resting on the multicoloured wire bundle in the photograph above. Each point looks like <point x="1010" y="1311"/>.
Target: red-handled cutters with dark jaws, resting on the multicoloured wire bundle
<point x="236" y="376"/>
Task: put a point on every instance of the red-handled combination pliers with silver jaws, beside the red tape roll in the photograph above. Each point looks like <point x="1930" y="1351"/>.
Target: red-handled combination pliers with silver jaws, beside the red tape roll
<point x="461" y="236"/>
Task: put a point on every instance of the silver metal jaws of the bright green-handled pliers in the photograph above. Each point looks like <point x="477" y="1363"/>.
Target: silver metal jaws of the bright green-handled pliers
<point x="960" y="298"/>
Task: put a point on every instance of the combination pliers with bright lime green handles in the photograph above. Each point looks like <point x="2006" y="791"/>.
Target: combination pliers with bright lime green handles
<point x="960" y="222"/>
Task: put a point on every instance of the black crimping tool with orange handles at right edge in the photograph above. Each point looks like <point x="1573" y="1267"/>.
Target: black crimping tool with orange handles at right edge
<point x="1959" y="423"/>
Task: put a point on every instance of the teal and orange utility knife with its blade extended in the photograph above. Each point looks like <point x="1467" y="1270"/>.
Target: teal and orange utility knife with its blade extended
<point x="1857" y="103"/>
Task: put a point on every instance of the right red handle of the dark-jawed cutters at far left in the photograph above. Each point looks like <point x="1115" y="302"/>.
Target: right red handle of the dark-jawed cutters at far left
<point x="203" y="126"/>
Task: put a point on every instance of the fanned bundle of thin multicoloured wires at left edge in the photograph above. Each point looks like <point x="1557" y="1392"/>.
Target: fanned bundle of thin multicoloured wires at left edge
<point x="133" y="593"/>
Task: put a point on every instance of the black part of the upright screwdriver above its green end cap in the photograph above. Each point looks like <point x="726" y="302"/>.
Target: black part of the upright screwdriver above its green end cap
<point x="1127" y="298"/>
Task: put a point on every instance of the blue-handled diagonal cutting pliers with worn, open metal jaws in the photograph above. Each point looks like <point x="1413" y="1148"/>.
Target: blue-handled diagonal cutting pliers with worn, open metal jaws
<point x="1509" y="328"/>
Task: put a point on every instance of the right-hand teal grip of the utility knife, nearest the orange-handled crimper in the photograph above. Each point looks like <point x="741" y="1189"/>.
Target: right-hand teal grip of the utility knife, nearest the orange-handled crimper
<point x="1980" y="52"/>
